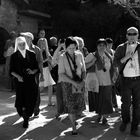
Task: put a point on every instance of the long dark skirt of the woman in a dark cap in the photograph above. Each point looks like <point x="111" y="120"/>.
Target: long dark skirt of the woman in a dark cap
<point x="105" y="100"/>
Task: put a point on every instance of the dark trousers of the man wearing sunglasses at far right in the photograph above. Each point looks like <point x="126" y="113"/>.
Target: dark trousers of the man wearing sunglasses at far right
<point x="131" y="96"/>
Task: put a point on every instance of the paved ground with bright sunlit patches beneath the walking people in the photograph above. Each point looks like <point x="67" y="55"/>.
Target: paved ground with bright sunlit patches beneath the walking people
<point x="46" y="127"/>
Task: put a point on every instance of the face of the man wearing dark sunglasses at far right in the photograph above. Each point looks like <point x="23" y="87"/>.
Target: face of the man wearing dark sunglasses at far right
<point x="132" y="36"/>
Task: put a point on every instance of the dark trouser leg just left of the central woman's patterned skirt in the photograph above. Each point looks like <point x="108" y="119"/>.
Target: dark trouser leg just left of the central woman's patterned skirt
<point x="59" y="98"/>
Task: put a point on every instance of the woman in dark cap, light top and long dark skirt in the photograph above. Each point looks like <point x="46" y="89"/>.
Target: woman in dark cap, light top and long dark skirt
<point x="102" y="62"/>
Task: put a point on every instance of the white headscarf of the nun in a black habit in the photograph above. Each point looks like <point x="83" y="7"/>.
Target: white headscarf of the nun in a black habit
<point x="19" y="40"/>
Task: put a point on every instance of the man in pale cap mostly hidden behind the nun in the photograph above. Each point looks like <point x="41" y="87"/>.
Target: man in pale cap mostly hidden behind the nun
<point x="29" y="38"/>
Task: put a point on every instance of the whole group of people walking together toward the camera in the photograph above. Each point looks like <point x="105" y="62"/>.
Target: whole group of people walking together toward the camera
<point x="78" y="73"/>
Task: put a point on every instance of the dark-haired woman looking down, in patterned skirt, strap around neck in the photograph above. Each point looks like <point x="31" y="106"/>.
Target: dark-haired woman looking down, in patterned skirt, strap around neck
<point x="72" y="73"/>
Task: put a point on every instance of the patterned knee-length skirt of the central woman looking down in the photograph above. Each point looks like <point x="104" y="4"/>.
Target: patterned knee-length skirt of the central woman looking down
<point x="73" y="102"/>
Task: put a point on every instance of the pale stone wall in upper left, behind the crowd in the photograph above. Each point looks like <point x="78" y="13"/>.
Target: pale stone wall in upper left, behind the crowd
<point x="11" y="20"/>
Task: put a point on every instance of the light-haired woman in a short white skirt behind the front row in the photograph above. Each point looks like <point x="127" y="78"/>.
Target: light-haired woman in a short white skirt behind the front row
<point x="48" y="80"/>
